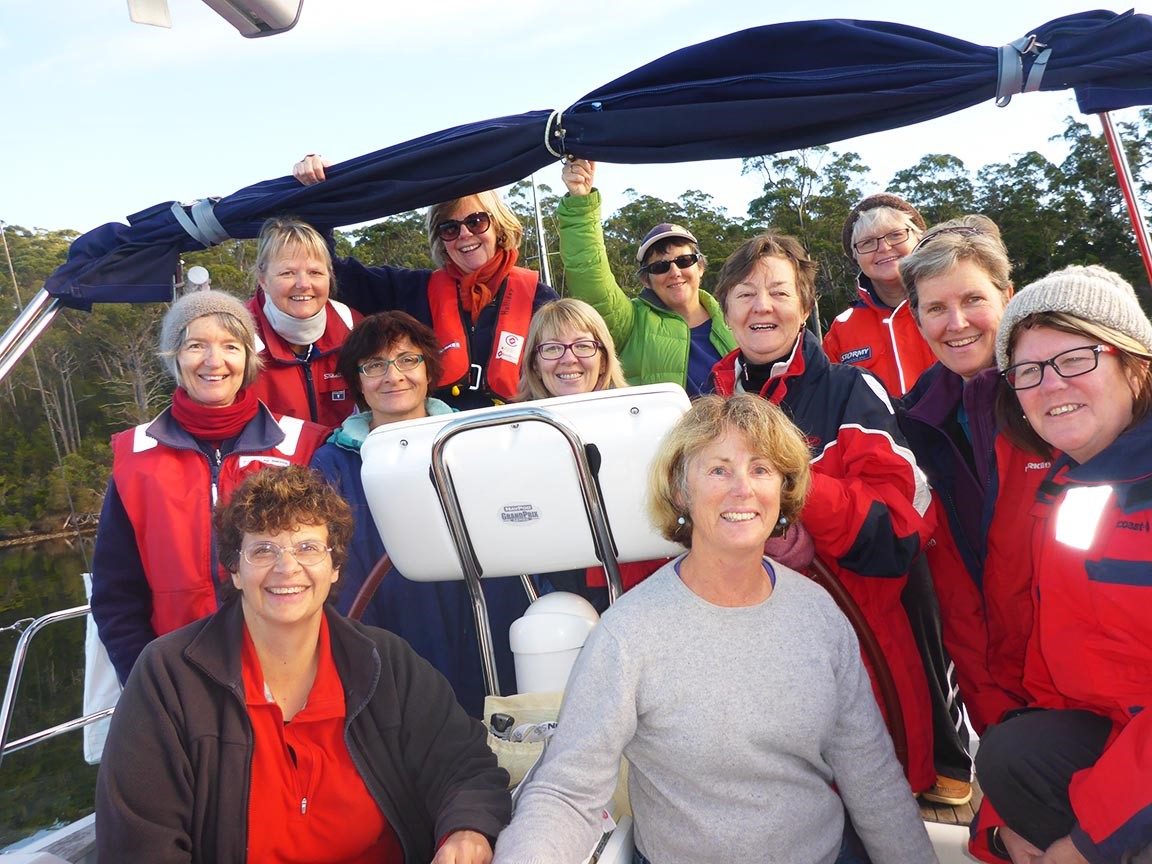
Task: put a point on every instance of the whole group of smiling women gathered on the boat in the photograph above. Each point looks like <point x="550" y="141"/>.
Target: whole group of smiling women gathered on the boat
<point x="798" y="457"/>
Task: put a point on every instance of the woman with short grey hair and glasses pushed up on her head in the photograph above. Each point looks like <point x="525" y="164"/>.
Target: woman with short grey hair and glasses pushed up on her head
<point x="959" y="283"/>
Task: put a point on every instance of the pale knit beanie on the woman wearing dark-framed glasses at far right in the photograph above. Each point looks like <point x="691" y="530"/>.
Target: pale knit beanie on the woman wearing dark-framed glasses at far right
<point x="1093" y="293"/>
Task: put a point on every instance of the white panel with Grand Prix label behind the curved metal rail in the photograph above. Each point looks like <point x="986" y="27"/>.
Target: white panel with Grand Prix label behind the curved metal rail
<point x="519" y="488"/>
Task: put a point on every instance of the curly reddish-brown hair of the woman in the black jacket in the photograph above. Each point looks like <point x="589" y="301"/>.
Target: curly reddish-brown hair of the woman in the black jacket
<point x="282" y="499"/>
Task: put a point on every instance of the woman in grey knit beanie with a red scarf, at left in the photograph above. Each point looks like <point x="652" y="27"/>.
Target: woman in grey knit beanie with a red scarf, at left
<point x="155" y="569"/>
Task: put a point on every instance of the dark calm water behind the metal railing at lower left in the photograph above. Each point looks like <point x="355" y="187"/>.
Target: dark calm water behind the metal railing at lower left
<point x="48" y="785"/>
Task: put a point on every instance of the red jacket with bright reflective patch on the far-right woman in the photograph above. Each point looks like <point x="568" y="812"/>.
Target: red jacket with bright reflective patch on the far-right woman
<point x="1092" y="643"/>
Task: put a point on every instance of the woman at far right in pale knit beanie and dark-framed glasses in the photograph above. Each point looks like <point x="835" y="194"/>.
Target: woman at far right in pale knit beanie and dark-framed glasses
<point x="1072" y="777"/>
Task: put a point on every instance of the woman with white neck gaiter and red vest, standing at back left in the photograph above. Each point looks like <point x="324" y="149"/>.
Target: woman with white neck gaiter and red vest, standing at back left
<point x="299" y="328"/>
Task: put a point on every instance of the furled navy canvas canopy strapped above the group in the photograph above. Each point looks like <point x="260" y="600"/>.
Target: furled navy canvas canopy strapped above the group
<point x="759" y="92"/>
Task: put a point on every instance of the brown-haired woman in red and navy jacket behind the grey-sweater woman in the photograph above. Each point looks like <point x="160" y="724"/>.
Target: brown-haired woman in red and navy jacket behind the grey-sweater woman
<point x="866" y="511"/>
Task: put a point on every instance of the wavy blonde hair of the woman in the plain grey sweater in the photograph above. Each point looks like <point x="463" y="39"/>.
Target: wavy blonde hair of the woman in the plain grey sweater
<point x="770" y="436"/>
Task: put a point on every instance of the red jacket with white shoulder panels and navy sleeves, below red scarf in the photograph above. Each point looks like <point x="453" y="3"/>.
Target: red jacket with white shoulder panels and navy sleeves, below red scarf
<point x="155" y="567"/>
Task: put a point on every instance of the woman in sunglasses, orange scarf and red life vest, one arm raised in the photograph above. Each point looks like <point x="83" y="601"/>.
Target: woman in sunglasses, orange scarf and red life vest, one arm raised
<point x="479" y="302"/>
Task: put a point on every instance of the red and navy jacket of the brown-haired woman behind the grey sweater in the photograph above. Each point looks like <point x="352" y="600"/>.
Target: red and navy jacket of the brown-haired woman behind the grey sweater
<point x="867" y="510"/>
